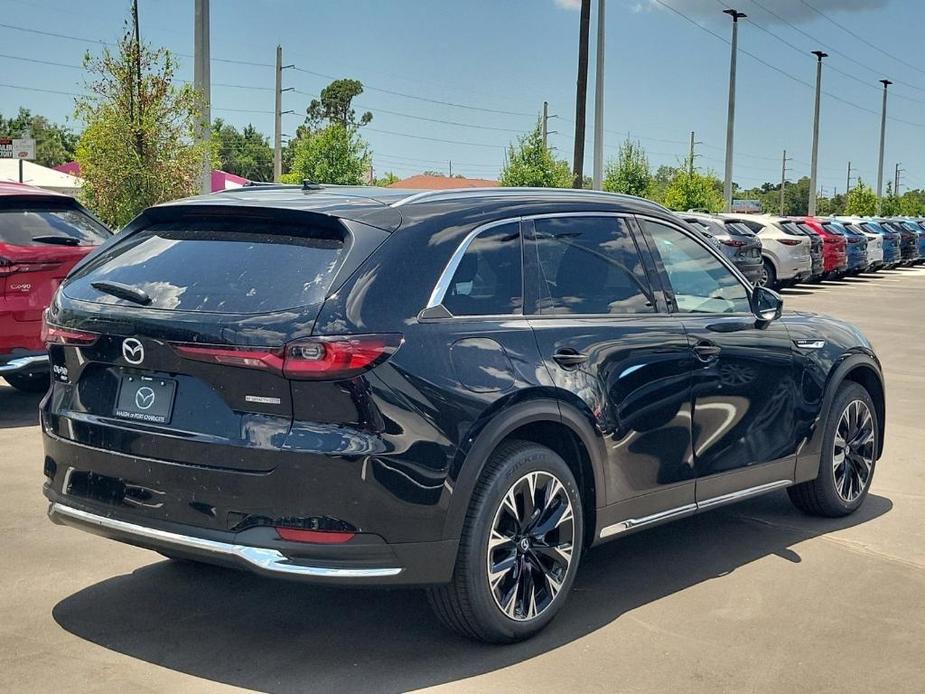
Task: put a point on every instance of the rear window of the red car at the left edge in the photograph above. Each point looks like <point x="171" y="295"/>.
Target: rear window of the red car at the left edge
<point x="49" y="226"/>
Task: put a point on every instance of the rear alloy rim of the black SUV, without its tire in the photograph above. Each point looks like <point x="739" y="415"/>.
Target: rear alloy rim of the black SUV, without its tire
<point x="530" y="546"/>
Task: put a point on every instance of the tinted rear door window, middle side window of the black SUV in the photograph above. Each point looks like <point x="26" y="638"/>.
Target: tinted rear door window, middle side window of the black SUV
<point x="589" y="265"/>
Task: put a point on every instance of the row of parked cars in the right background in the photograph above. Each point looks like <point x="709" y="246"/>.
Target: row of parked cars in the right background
<point x="776" y="252"/>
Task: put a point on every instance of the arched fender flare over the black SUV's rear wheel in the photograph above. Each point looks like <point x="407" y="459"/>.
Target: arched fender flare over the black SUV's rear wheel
<point x="500" y="426"/>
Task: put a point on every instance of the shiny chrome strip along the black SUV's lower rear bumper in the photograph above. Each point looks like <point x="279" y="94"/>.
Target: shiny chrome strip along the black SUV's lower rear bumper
<point x="258" y="557"/>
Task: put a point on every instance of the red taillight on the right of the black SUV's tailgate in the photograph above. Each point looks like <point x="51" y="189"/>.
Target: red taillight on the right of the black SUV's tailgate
<point x="317" y="358"/>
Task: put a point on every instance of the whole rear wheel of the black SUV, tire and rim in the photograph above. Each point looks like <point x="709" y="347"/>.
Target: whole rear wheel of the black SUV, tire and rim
<point x="471" y="604"/>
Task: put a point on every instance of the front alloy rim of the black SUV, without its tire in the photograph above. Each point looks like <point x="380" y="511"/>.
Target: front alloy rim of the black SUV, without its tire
<point x="853" y="450"/>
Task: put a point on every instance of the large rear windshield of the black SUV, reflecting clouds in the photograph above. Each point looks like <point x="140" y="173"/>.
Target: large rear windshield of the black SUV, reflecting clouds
<point x="217" y="266"/>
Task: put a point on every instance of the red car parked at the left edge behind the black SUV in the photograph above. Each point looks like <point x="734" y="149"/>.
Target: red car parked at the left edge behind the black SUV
<point x="42" y="236"/>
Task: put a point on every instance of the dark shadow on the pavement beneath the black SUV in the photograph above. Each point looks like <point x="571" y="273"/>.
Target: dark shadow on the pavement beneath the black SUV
<point x="277" y="636"/>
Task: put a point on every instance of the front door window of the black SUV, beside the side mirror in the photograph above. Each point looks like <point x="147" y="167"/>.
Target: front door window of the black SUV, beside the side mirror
<point x="699" y="281"/>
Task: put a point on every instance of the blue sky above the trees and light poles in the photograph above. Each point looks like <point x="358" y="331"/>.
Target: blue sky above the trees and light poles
<point x="448" y="80"/>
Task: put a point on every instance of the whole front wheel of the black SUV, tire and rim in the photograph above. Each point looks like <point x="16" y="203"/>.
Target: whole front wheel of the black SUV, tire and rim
<point x="840" y="489"/>
